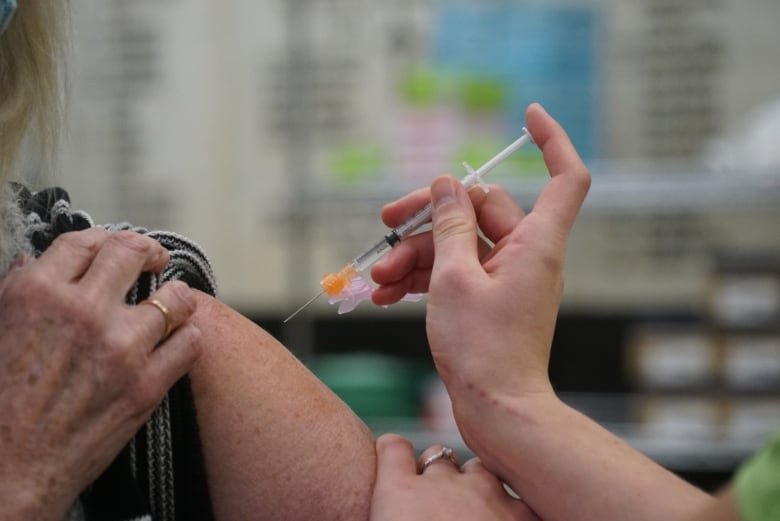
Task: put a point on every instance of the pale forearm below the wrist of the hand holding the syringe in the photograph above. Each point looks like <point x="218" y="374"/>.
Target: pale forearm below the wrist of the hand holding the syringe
<point x="568" y="468"/>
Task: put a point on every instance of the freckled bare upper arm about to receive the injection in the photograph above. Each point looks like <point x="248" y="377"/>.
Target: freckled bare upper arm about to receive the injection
<point x="278" y="443"/>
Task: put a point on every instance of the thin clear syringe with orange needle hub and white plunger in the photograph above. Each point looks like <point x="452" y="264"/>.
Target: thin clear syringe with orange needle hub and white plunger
<point x="334" y="283"/>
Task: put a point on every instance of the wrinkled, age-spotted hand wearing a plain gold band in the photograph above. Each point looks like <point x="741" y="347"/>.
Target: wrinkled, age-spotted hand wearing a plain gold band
<point x="80" y="370"/>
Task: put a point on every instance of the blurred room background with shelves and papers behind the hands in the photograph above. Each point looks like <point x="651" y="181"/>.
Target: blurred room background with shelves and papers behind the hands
<point x="273" y="131"/>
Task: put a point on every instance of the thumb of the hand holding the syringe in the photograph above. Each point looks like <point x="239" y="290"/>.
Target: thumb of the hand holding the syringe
<point x="454" y="224"/>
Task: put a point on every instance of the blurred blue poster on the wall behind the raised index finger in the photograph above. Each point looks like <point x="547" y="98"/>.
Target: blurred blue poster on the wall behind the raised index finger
<point x="540" y="52"/>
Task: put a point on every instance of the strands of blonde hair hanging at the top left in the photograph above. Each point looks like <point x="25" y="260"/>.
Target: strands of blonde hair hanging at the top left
<point x="31" y="50"/>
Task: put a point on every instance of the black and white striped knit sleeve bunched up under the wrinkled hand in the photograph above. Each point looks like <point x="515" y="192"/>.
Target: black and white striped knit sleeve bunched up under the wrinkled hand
<point x="160" y="475"/>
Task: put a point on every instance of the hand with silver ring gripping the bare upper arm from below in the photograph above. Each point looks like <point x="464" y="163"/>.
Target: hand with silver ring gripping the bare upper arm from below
<point x="441" y="492"/>
